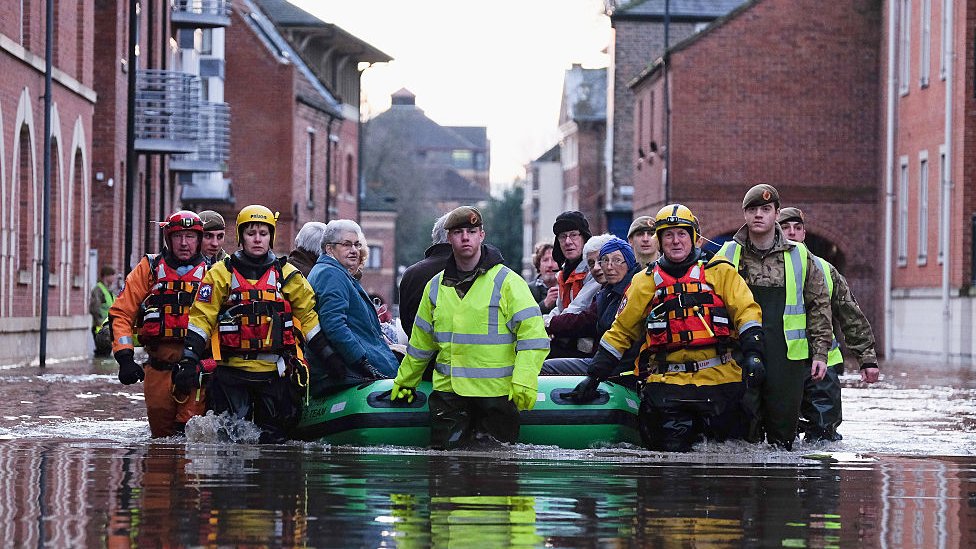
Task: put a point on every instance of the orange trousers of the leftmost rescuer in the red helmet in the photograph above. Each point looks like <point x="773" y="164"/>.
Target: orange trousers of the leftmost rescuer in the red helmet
<point x="165" y="411"/>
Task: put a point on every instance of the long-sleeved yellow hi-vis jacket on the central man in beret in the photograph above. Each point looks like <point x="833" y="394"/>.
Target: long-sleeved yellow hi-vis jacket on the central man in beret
<point x="482" y="342"/>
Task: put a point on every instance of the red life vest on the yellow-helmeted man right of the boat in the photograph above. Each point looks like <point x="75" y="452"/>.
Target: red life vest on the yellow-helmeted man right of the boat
<point x="685" y="312"/>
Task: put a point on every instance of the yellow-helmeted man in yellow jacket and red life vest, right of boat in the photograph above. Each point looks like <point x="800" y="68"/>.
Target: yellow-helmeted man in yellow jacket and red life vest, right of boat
<point x="690" y="316"/>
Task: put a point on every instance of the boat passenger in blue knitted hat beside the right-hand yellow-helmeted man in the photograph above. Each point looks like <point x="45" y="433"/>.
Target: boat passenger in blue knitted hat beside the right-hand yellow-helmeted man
<point x="618" y="265"/>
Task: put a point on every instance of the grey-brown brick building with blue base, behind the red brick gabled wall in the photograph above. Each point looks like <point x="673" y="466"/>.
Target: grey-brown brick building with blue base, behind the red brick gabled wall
<point x="638" y="28"/>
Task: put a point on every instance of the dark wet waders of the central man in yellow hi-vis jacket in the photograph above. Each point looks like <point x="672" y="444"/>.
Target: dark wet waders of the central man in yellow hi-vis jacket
<point x="455" y="420"/>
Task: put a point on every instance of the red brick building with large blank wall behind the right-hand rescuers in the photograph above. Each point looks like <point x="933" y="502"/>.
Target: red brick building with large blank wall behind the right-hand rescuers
<point x="781" y="92"/>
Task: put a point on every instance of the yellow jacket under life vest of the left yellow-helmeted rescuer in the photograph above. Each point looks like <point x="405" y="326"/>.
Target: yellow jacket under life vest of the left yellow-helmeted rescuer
<point x="212" y="298"/>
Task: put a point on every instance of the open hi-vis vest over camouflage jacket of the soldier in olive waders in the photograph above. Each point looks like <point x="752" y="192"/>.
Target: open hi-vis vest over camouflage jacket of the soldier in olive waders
<point x="795" y="313"/>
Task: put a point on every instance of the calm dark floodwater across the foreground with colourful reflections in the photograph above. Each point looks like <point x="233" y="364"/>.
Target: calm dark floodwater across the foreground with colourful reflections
<point x="71" y="494"/>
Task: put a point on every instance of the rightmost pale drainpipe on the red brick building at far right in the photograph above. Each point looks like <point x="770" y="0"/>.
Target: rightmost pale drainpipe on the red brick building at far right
<point x="947" y="187"/>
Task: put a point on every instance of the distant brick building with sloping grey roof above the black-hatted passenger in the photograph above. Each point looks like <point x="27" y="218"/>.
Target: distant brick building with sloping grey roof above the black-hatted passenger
<point x="583" y="131"/>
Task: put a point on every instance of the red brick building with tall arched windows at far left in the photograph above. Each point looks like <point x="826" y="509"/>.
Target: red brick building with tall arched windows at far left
<point x="22" y="117"/>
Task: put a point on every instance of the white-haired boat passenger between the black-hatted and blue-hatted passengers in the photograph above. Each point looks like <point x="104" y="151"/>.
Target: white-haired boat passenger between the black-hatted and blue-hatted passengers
<point x="578" y="321"/>
